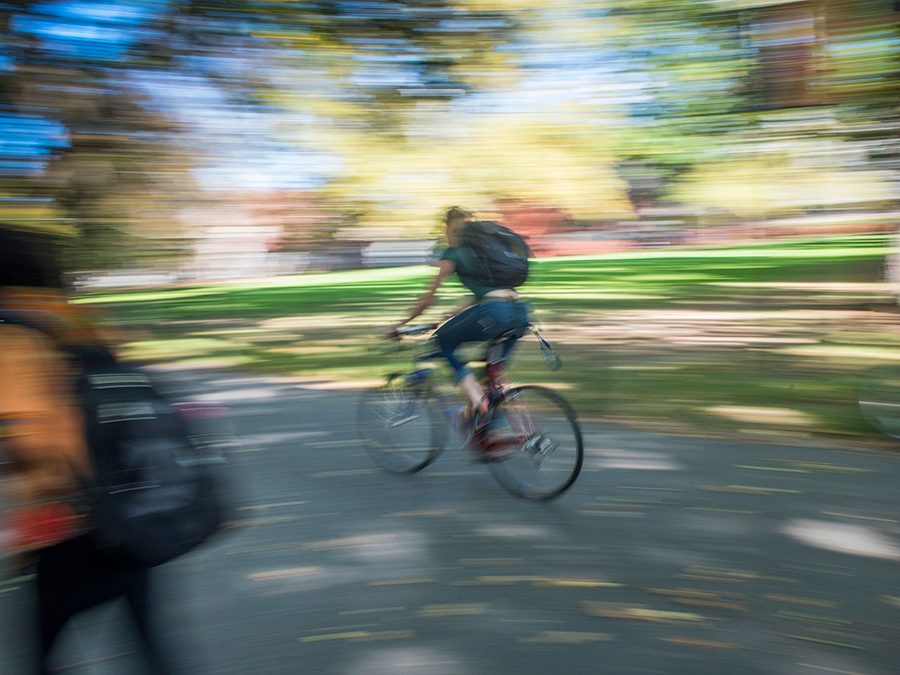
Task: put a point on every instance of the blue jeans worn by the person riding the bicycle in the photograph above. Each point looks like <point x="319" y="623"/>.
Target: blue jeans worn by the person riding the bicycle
<point x="480" y="323"/>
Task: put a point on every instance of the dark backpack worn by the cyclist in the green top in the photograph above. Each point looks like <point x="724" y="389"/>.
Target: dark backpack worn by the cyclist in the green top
<point x="498" y="256"/>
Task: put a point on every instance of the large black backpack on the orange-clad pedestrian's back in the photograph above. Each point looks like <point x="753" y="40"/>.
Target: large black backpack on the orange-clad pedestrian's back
<point x="156" y="494"/>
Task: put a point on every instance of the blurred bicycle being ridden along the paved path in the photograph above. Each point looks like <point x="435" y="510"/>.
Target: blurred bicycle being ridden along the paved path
<point x="529" y="437"/>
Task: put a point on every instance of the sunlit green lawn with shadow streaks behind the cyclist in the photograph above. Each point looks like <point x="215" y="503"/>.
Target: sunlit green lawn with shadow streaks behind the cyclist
<point x="765" y="340"/>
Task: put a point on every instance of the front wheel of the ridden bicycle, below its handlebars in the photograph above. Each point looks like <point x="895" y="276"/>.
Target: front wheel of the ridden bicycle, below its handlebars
<point x="403" y="427"/>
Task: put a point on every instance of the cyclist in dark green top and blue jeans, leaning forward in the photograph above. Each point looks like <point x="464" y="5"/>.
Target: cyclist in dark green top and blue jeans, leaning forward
<point x="487" y="314"/>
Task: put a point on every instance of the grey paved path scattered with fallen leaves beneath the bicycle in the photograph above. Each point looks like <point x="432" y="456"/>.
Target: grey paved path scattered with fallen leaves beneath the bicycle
<point x="670" y="555"/>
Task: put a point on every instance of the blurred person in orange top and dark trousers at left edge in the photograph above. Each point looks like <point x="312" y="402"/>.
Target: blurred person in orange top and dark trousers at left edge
<point x="45" y="454"/>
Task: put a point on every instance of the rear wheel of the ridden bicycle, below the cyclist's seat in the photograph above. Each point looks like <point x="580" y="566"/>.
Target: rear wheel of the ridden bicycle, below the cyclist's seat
<point x="545" y="450"/>
